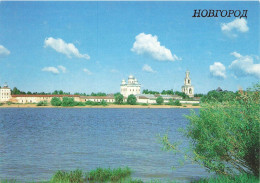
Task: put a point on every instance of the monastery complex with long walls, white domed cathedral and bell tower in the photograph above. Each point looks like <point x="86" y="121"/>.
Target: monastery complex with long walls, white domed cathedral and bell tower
<point x="131" y="87"/>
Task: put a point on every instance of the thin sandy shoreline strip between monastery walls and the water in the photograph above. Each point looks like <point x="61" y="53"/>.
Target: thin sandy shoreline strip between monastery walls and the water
<point x="110" y="106"/>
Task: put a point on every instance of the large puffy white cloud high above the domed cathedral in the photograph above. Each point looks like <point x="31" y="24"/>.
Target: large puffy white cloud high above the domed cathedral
<point x="148" y="44"/>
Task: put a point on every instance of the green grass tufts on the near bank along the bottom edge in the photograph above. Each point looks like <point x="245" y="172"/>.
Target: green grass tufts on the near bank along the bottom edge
<point x="123" y="175"/>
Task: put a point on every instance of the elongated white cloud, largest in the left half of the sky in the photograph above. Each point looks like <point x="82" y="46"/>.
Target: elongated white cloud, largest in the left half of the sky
<point x="66" y="48"/>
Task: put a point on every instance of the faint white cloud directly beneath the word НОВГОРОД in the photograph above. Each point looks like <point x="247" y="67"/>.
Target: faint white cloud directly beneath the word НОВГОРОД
<point x="239" y="25"/>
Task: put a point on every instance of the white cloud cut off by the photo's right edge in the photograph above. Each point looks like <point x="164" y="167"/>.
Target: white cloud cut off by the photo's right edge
<point x="244" y="66"/>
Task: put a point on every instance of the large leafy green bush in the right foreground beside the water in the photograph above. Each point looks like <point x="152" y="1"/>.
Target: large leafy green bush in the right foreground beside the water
<point x="225" y="136"/>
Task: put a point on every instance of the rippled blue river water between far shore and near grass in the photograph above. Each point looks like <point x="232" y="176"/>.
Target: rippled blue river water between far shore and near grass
<point x="35" y="143"/>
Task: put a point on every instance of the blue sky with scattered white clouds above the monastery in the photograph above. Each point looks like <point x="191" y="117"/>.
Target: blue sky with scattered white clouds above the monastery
<point x="91" y="46"/>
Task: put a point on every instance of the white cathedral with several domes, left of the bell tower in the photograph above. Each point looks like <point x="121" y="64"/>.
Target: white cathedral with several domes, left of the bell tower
<point x="131" y="87"/>
